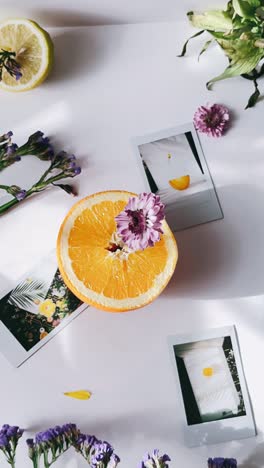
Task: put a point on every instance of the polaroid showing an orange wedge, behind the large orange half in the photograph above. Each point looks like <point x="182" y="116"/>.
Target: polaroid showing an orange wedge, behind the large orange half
<point x="173" y="166"/>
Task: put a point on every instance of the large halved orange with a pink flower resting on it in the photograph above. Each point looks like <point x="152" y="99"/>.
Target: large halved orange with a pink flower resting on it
<point x="102" y="276"/>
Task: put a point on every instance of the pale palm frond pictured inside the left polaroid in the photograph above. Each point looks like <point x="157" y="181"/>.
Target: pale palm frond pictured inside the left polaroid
<point x="26" y="293"/>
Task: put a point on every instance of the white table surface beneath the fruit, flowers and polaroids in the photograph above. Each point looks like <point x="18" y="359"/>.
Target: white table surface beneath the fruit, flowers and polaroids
<point x="111" y="83"/>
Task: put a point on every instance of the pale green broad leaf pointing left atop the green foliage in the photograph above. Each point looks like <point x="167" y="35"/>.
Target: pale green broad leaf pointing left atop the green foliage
<point x="215" y="20"/>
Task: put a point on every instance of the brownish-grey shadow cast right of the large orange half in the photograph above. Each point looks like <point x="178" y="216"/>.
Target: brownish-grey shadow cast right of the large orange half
<point x="224" y="259"/>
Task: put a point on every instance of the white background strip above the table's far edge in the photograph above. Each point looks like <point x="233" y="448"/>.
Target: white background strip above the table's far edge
<point x="94" y="12"/>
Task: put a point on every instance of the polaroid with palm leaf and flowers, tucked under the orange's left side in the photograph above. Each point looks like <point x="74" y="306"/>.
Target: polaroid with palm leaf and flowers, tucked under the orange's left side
<point x="34" y="310"/>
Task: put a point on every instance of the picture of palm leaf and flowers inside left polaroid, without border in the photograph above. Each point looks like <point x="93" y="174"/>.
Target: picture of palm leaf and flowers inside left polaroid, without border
<point x="37" y="305"/>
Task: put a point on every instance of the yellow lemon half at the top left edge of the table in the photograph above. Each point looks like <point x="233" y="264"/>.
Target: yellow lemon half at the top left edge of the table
<point x="34" y="52"/>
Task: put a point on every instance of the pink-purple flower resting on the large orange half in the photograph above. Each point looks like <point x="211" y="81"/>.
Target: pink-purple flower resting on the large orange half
<point x="140" y="224"/>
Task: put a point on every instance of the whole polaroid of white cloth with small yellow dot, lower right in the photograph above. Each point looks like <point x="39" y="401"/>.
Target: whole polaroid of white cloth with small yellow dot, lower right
<point x="211" y="387"/>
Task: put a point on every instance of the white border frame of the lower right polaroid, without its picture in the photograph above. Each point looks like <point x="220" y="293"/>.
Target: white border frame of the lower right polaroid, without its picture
<point x="223" y="430"/>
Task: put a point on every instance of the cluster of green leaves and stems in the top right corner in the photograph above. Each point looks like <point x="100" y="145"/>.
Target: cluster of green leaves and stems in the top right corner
<point x="239" y="31"/>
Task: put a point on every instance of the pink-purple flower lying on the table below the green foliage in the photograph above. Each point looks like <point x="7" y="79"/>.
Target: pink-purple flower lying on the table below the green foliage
<point x="212" y="120"/>
